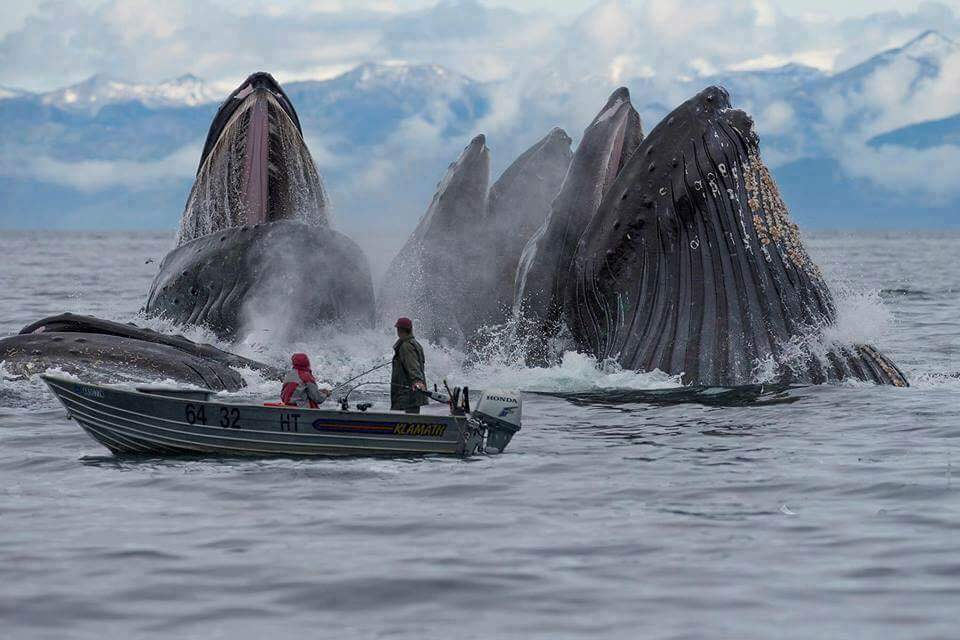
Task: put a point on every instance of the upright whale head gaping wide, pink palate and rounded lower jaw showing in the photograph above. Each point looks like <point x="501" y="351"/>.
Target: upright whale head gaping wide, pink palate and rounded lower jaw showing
<point x="255" y="248"/>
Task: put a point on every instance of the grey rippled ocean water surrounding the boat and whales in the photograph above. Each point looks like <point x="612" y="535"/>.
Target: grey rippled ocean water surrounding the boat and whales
<point x="818" y="512"/>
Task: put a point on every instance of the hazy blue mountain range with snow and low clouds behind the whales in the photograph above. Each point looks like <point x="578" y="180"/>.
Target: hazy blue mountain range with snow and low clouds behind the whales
<point x="105" y="153"/>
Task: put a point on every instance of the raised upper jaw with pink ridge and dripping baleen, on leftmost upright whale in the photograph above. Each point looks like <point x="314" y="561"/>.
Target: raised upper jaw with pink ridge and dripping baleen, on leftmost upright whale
<point x="255" y="167"/>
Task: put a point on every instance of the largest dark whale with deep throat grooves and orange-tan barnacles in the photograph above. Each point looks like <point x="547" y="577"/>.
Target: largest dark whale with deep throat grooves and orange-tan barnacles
<point x="691" y="265"/>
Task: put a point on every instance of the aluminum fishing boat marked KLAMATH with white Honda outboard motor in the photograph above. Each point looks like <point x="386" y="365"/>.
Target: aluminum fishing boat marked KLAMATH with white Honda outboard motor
<point x="159" y="421"/>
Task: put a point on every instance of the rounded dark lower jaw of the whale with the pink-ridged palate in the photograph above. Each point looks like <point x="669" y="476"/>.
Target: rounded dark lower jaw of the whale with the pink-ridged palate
<point x="286" y="276"/>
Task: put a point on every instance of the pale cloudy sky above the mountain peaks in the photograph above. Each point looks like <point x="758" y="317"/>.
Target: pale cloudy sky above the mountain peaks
<point x="51" y="43"/>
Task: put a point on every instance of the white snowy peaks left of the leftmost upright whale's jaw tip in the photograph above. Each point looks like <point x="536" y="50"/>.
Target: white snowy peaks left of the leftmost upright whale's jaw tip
<point x="97" y="91"/>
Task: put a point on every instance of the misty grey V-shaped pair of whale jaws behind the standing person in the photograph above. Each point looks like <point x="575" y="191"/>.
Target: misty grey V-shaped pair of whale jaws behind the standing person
<point x="456" y="272"/>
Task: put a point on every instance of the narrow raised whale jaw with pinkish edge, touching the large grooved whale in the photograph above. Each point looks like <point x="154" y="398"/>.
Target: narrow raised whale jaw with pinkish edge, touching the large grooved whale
<point x="608" y="141"/>
